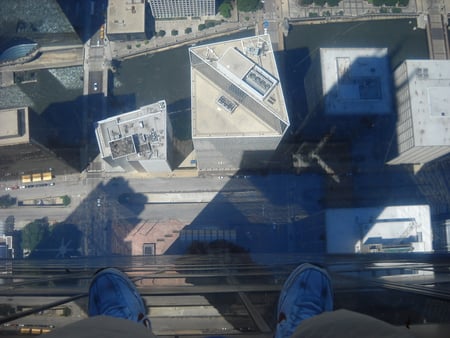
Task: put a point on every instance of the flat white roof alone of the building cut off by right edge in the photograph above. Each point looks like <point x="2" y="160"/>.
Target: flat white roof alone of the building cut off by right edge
<point x="429" y="90"/>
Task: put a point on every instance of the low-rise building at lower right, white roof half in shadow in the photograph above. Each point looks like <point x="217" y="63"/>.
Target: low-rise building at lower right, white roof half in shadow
<point x="400" y="229"/>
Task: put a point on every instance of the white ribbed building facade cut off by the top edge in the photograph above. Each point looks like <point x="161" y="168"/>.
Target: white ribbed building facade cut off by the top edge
<point x="182" y="8"/>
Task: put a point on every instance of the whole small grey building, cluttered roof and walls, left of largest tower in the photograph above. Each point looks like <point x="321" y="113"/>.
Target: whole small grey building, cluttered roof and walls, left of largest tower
<point x="140" y="140"/>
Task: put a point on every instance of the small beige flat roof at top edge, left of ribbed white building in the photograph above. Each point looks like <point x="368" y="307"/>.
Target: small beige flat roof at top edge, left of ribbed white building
<point x="125" y="16"/>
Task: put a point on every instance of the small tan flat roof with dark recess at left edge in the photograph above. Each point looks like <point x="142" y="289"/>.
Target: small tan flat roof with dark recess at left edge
<point x="14" y="126"/>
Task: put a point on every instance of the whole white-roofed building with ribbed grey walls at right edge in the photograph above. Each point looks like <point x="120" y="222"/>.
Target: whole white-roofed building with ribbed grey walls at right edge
<point x="423" y="111"/>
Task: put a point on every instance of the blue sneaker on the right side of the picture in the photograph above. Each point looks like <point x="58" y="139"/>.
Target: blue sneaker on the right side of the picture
<point x="306" y="293"/>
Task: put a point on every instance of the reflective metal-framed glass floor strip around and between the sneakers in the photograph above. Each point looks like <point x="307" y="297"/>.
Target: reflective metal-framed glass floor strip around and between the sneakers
<point x="228" y="294"/>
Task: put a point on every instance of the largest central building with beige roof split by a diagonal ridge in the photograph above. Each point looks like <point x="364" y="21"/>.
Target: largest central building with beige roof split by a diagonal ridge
<point x="239" y="114"/>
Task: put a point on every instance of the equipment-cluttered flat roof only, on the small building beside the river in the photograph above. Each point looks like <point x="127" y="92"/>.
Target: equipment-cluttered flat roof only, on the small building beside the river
<point x="137" y="135"/>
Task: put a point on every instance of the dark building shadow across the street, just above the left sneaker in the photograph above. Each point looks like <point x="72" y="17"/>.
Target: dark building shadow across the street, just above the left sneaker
<point x="97" y="226"/>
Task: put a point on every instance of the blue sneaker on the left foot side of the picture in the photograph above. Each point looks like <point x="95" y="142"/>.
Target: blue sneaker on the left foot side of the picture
<point x="113" y="294"/>
